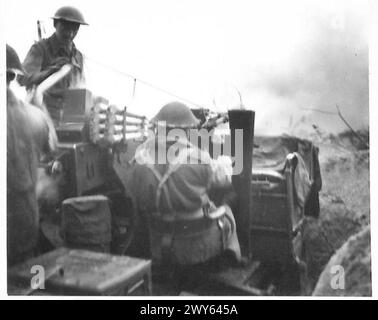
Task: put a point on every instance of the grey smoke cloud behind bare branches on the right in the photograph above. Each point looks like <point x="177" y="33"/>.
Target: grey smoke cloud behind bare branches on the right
<point x="330" y="67"/>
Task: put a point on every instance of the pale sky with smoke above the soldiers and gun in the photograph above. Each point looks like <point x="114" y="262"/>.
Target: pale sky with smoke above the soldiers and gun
<point x="282" y="56"/>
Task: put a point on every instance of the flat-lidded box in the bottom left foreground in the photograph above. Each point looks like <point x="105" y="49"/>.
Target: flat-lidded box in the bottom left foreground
<point x="81" y="272"/>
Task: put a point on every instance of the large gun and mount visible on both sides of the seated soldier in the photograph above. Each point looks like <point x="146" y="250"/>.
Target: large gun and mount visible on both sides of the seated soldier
<point x="97" y="141"/>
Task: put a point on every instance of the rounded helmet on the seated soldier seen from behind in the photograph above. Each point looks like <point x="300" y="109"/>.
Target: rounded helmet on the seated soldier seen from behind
<point x="177" y="115"/>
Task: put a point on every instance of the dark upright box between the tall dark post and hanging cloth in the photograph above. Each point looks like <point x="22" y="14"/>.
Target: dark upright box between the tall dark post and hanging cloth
<point x="272" y="217"/>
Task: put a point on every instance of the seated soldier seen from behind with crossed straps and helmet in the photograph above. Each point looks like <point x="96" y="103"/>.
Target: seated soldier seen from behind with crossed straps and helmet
<point x="174" y="196"/>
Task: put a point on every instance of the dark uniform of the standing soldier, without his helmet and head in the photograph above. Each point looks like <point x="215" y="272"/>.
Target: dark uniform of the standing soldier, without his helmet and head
<point x="42" y="55"/>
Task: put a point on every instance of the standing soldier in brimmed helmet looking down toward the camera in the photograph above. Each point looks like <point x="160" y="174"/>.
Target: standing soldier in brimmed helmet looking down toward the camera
<point x="48" y="55"/>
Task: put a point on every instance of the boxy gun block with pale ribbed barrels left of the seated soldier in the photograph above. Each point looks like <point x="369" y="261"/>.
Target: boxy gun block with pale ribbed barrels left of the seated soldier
<point x="88" y="131"/>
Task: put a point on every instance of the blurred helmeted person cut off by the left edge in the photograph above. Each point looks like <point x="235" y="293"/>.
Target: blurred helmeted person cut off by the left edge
<point x="28" y="137"/>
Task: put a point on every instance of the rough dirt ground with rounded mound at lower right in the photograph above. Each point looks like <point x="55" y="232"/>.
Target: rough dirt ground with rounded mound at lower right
<point x="344" y="211"/>
